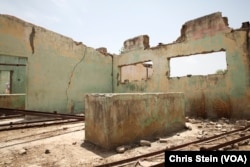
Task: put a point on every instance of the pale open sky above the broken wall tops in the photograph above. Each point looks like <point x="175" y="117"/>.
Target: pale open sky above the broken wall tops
<point x="108" y="23"/>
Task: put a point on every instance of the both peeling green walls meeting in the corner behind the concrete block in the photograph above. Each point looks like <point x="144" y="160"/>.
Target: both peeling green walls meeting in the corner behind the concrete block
<point x="60" y="71"/>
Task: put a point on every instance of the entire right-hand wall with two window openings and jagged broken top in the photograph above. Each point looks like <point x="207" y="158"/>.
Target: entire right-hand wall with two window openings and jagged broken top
<point x="221" y="95"/>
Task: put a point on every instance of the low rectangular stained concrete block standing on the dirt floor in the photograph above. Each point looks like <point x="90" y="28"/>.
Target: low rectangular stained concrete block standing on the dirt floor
<point x="112" y="120"/>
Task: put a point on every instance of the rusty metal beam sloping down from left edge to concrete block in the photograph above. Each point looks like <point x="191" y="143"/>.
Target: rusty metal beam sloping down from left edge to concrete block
<point x="40" y="113"/>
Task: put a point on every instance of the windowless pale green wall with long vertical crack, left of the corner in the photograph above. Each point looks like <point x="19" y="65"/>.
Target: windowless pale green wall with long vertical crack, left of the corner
<point x="59" y="71"/>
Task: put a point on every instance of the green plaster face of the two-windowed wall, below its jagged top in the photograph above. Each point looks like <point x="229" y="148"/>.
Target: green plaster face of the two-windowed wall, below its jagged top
<point x="234" y="84"/>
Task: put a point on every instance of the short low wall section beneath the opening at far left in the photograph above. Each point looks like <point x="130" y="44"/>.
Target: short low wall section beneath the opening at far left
<point x="14" y="101"/>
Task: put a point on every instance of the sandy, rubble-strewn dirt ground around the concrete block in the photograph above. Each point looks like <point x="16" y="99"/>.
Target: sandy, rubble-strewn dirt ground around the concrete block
<point x="63" y="145"/>
